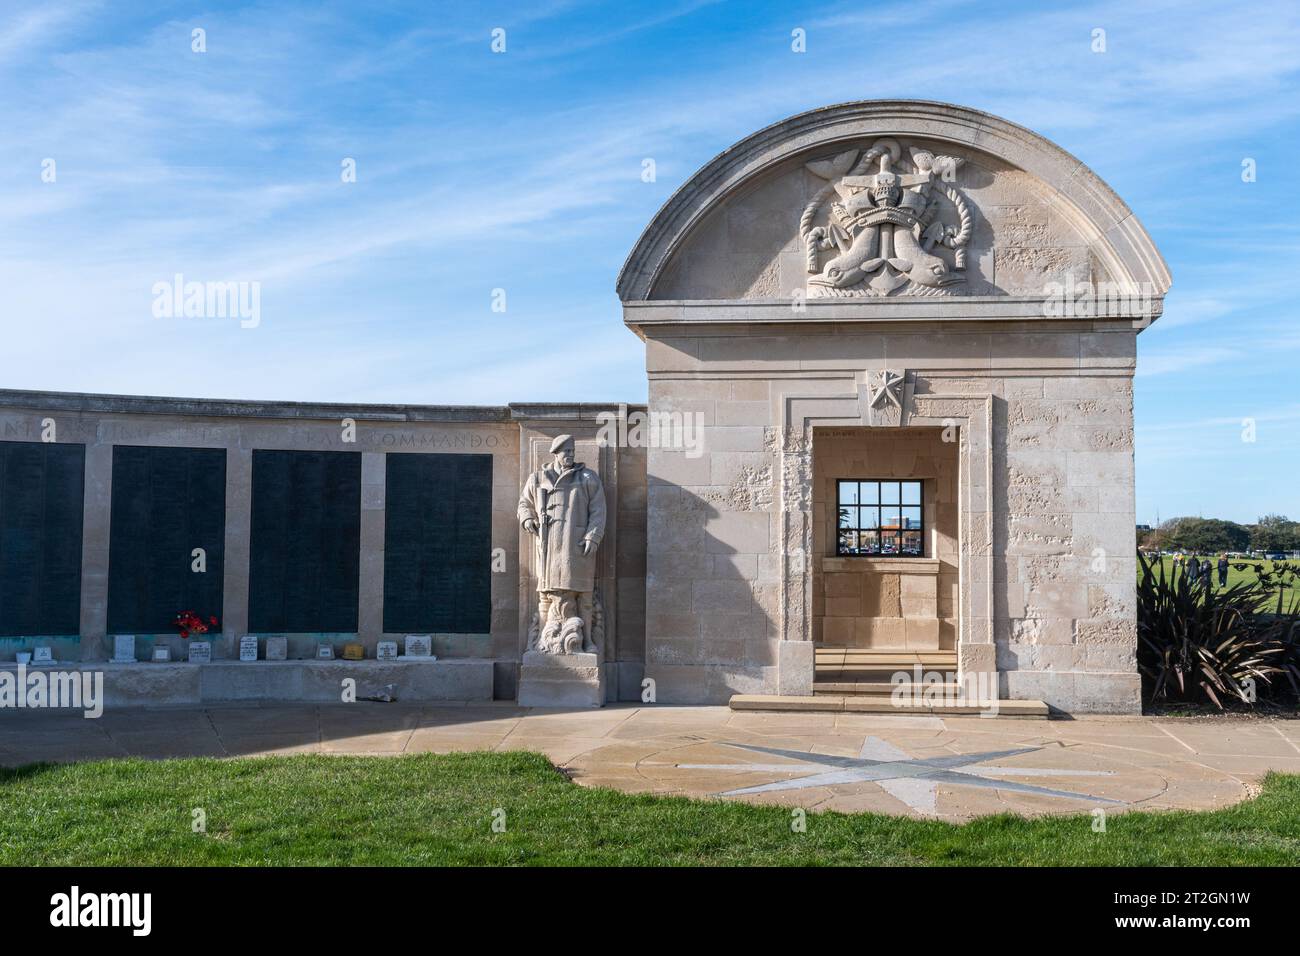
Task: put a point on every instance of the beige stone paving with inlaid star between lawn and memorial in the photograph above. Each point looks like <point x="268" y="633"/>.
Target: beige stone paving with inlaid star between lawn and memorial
<point x="950" y="768"/>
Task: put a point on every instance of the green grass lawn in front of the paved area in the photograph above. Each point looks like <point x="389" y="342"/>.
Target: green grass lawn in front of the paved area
<point x="432" y="810"/>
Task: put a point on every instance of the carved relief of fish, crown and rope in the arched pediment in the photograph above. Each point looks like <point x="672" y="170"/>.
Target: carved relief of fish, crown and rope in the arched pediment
<point x="891" y="231"/>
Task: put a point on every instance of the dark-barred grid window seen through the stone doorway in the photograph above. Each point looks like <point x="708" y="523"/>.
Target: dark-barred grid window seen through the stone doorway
<point x="881" y="517"/>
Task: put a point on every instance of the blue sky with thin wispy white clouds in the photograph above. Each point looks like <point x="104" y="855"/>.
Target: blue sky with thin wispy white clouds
<point x="522" y="171"/>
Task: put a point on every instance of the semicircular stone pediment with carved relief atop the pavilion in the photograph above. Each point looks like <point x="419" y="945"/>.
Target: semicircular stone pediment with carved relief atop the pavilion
<point x="889" y="200"/>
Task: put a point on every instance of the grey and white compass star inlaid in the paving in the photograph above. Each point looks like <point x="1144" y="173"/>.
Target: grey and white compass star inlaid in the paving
<point x="915" y="781"/>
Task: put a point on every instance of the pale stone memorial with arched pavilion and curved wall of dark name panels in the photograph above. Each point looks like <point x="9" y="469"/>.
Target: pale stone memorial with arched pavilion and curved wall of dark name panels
<point x="890" y="351"/>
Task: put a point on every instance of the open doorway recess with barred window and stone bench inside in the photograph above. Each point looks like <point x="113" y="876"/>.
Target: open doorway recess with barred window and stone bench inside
<point x="872" y="590"/>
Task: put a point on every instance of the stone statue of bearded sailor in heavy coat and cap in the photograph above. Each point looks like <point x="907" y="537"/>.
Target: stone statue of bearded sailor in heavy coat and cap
<point x="564" y="508"/>
